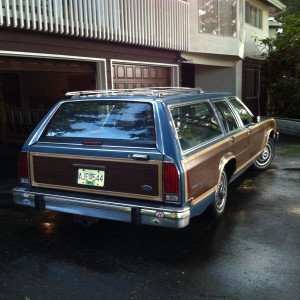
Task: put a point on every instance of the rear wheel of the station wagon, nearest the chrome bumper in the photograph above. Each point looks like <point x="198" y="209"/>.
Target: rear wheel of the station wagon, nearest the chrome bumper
<point x="218" y="206"/>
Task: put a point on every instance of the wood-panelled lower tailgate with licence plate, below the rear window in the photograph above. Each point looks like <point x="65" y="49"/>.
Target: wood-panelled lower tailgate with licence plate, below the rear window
<point x="128" y="174"/>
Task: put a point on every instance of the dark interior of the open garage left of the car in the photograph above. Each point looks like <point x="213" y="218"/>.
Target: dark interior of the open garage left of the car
<point x="29" y="87"/>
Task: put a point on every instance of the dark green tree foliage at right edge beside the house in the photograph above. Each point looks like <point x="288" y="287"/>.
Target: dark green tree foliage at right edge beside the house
<point x="283" y="58"/>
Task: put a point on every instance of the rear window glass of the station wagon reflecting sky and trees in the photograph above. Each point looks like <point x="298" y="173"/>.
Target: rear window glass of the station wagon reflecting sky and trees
<point x="116" y="120"/>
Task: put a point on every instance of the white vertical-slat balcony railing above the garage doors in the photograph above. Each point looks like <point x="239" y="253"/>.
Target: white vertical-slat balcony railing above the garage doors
<point x="155" y="23"/>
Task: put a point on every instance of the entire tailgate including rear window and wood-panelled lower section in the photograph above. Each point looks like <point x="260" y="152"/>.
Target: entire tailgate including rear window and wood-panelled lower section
<point x="100" y="146"/>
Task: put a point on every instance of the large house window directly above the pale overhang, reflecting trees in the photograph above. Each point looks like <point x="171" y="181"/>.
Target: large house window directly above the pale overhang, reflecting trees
<point x="217" y="17"/>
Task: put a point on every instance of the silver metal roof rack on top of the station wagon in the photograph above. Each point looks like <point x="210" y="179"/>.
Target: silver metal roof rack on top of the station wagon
<point x="160" y="92"/>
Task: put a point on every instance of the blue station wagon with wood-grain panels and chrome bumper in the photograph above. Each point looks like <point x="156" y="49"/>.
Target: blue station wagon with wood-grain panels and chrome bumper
<point x="155" y="156"/>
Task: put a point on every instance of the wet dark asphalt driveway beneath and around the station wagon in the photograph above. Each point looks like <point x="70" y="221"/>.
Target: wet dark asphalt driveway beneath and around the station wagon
<point x="253" y="252"/>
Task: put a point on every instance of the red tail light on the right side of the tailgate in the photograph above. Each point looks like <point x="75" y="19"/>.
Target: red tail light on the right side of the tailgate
<point x="171" y="182"/>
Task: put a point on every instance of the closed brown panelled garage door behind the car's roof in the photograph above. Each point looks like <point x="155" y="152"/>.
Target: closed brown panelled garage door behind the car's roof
<point x="139" y="76"/>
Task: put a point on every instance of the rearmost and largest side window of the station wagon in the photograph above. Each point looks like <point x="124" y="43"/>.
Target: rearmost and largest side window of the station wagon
<point x="195" y="124"/>
